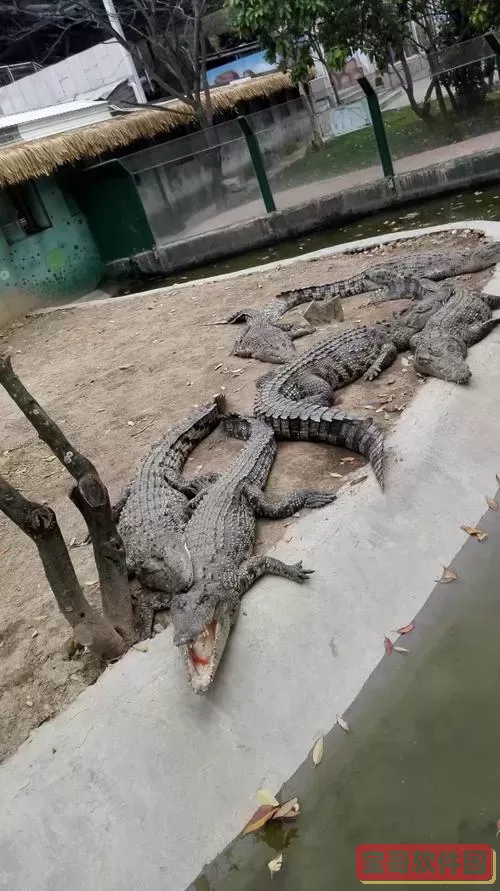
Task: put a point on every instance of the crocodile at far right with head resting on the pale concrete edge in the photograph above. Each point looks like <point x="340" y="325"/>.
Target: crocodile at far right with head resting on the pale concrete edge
<point x="441" y="347"/>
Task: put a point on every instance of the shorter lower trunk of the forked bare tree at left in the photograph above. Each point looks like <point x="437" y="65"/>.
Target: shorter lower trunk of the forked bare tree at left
<point x="40" y="523"/>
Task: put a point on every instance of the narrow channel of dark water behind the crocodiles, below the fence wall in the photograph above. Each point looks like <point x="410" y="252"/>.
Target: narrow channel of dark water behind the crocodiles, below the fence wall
<point x="477" y="204"/>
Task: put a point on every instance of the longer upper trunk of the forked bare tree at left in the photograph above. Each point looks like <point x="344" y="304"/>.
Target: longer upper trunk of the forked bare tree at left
<point x="91" y="497"/>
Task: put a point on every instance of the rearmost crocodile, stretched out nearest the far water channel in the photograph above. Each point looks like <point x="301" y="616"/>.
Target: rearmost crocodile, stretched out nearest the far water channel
<point x="434" y="265"/>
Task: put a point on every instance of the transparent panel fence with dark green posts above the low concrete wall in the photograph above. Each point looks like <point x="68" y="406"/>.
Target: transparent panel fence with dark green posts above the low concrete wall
<point x="212" y="179"/>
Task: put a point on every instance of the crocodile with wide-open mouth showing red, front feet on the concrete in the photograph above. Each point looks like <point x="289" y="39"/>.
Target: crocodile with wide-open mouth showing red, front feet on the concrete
<point x="220" y="537"/>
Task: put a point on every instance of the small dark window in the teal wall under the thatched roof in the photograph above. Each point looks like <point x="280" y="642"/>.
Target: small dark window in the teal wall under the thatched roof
<point x="22" y="212"/>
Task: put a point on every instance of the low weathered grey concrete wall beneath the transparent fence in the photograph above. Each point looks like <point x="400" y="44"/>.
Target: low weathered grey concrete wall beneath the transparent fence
<point x="332" y="210"/>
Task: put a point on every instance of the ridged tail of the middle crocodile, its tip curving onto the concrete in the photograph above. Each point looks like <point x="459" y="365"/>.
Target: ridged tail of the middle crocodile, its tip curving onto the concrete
<point x="303" y="420"/>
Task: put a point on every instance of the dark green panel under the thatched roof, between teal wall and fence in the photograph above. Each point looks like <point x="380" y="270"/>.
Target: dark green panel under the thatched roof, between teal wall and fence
<point x="114" y="211"/>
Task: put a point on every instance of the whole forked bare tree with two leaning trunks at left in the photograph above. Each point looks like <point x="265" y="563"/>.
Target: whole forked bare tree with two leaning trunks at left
<point x="107" y="634"/>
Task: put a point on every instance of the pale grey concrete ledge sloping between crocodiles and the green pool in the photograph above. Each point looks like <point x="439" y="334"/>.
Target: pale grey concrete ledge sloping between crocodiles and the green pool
<point x="139" y="782"/>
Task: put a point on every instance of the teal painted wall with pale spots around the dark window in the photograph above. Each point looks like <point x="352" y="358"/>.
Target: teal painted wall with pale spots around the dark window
<point x="62" y="260"/>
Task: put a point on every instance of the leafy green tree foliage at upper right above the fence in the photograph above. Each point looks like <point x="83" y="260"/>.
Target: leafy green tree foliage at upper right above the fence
<point x="384" y="29"/>
